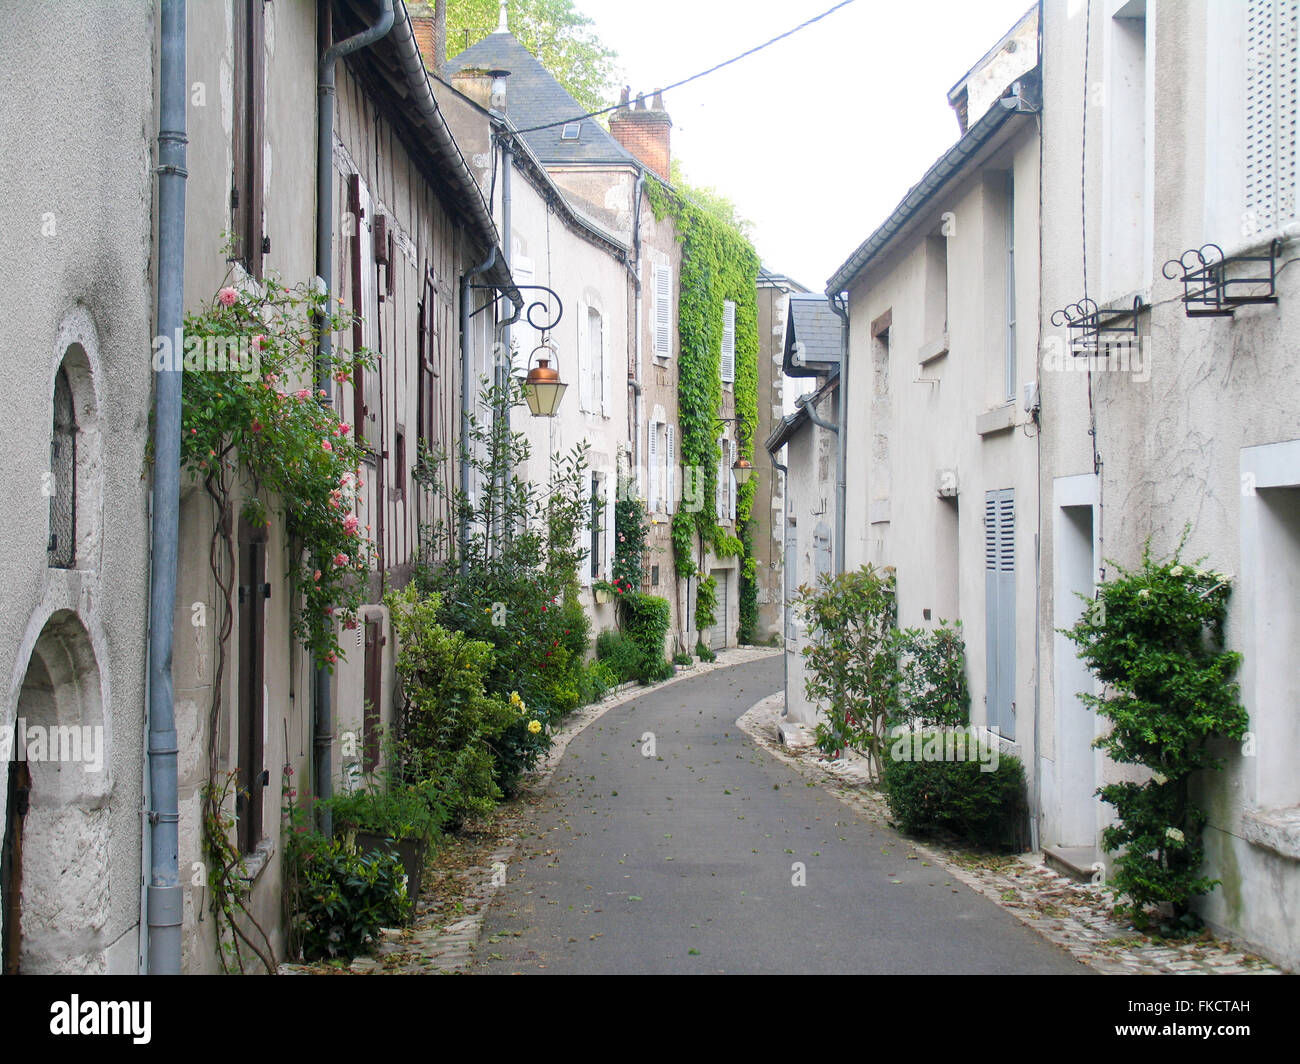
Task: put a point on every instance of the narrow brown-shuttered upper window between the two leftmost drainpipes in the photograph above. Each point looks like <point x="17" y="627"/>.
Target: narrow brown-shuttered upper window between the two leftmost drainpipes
<point x="250" y="106"/>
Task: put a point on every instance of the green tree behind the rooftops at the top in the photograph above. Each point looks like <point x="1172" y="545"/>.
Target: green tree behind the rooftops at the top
<point x="554" y="31"/>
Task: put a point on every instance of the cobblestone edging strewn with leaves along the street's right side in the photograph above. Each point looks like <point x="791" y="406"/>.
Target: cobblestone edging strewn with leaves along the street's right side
<point x="1076" y="916"/>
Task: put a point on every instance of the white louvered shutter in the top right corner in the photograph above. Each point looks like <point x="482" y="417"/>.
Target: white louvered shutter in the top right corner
<point x="1271" y="113"/>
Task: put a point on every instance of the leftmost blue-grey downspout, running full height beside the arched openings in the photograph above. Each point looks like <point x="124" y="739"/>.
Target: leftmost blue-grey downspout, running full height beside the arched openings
<point x="164" y="899"/>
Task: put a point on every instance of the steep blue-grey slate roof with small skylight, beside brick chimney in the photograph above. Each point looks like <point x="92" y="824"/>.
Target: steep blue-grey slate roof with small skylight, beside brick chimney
<point x="535" y="98"/>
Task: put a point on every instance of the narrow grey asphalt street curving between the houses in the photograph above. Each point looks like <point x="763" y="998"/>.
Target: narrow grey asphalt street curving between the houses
<point x="684" y="858"/>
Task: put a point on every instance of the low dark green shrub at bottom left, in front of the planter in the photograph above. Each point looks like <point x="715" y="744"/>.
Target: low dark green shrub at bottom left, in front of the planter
<point x="343" y="898"/>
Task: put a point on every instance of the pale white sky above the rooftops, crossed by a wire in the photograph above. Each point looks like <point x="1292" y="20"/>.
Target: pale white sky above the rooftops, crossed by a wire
<point x="818" y="137"/>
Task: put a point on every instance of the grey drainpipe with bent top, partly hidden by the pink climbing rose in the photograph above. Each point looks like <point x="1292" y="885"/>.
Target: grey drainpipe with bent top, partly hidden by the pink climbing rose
<point x="323" y="771"/>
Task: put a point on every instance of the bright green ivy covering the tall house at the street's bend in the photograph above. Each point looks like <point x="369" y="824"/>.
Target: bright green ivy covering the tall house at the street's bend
<point x="718" y="263"/>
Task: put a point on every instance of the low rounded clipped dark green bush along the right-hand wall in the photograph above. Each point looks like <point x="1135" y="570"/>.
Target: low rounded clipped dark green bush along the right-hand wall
<point x="957" y="797"/>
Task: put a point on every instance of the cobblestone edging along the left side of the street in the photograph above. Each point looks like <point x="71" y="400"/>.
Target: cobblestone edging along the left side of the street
<point x="432" y="948"/>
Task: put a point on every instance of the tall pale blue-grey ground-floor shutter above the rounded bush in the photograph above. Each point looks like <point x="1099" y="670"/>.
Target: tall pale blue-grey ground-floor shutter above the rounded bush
<point x="1000" y="609"/>
